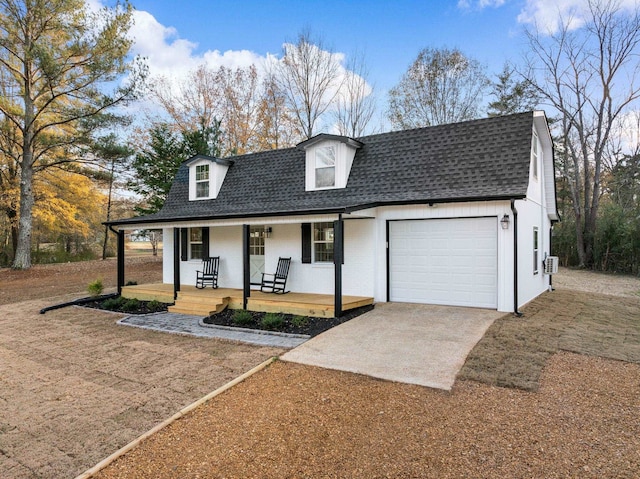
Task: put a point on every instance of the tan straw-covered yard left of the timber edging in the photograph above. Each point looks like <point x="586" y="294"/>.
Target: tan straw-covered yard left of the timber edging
<point x="74" y="386"/>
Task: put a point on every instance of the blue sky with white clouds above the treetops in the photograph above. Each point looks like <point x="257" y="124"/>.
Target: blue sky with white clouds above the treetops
<point x="176" y="36"/>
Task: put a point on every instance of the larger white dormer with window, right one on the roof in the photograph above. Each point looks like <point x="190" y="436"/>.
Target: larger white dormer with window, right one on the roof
<point x="328" y="160"/>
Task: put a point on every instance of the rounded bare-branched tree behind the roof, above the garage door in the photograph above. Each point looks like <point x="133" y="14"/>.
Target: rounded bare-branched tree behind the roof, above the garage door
<point x="441" y="86"/>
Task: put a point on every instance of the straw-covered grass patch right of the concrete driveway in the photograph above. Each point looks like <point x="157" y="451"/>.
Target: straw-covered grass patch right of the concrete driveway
<point x="514" y="350"/>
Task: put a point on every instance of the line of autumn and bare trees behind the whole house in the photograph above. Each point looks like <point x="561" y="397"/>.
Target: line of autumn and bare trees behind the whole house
<point x="66" y="146"/>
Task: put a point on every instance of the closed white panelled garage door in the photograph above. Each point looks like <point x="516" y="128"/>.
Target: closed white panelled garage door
<point x="451" y="261"/>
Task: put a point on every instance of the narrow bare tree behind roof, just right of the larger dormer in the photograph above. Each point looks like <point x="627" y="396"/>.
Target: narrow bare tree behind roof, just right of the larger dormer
<point x="355" y="103"/>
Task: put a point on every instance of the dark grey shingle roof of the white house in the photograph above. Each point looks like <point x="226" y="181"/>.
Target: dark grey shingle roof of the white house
<point x="472" y="160"/>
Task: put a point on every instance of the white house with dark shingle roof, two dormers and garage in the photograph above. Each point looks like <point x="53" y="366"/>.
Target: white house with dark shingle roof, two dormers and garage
<point x="457" y="214"/>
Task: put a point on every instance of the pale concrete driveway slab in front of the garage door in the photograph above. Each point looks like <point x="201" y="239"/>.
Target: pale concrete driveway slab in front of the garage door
<point x="410" y="343"/>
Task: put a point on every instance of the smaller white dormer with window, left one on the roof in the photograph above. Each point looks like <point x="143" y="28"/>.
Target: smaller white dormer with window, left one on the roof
<point x="206" y="175"/>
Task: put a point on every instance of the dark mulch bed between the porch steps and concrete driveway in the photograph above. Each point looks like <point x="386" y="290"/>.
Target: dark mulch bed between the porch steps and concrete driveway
<point x="290" y="323"/>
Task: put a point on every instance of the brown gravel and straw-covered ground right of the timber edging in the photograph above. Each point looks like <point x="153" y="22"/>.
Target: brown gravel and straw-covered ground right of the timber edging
<point x="524" y="407"/>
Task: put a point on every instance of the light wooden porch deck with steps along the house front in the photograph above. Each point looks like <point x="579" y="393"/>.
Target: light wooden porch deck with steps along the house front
<point x="209" y="301"/>
